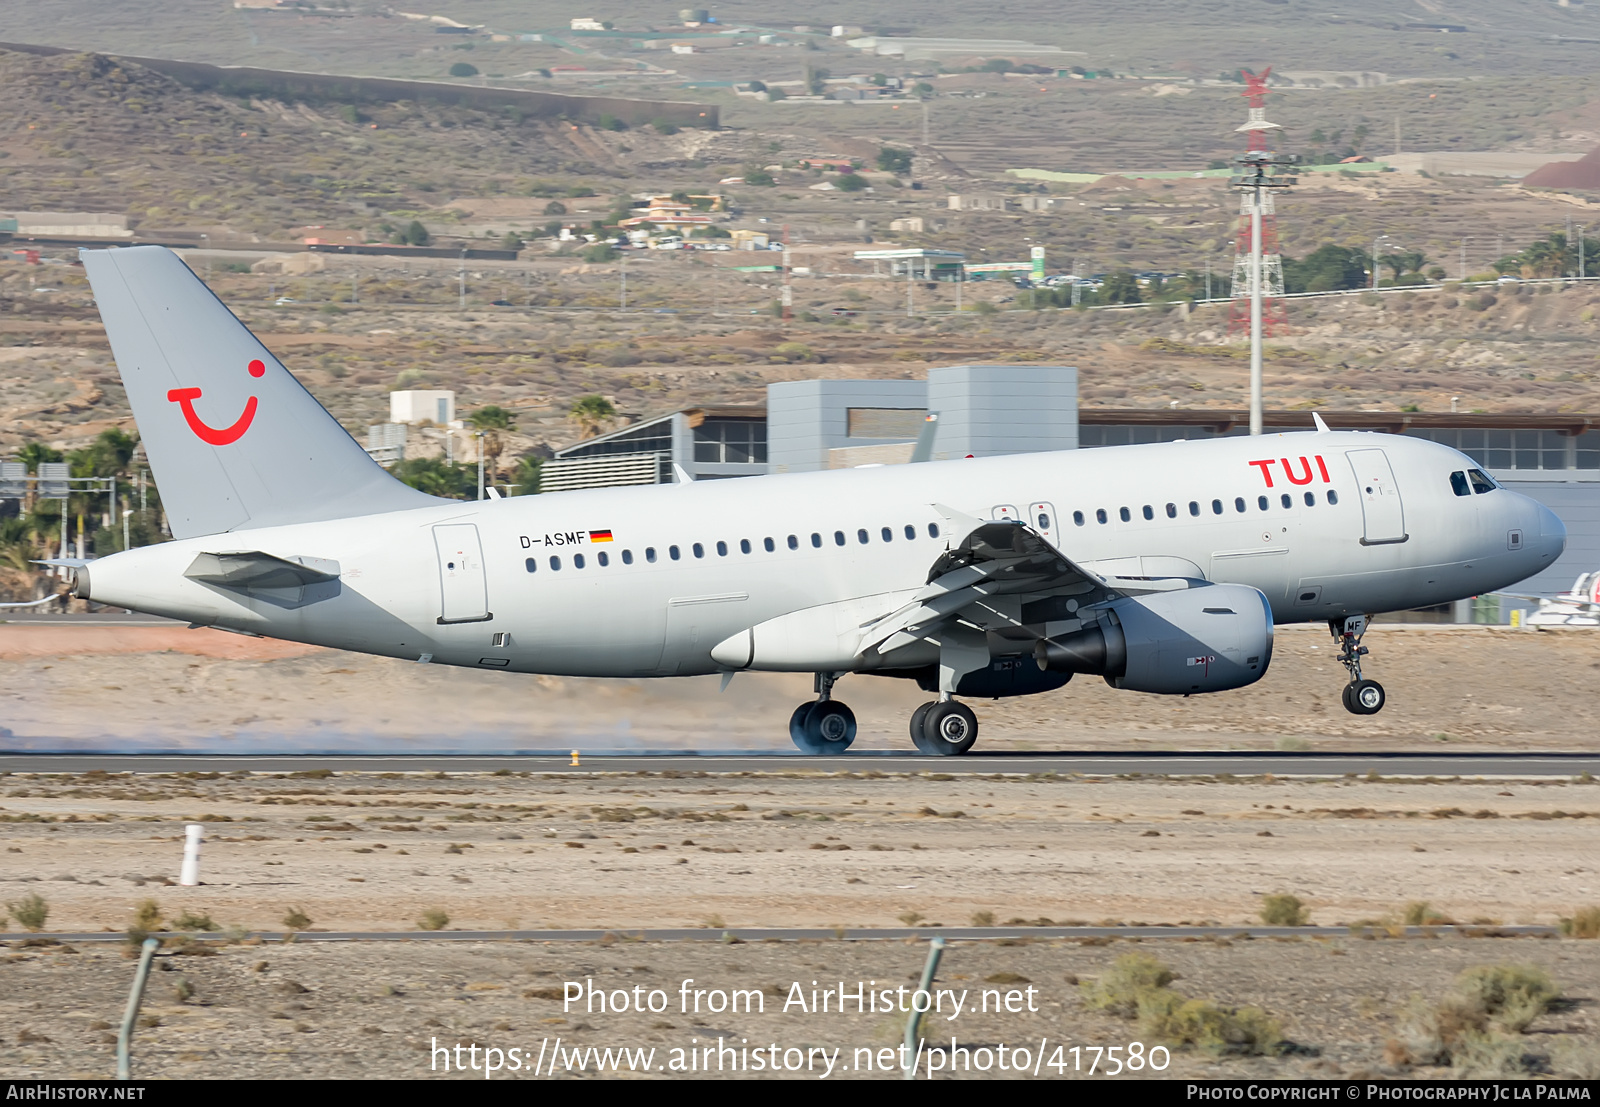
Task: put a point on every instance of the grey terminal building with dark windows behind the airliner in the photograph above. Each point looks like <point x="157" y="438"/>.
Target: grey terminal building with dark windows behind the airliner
<point x="988" y="410"/>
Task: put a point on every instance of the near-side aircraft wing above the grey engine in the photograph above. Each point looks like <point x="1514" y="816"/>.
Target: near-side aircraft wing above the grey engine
<point x="988" y="578"/>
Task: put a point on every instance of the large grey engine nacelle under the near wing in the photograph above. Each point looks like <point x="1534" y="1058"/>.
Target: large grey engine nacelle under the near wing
<point x="1202" y="639"/>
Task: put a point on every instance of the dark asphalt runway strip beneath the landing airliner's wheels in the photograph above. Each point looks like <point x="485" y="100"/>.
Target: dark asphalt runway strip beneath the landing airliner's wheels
<point x="892" y="762"/>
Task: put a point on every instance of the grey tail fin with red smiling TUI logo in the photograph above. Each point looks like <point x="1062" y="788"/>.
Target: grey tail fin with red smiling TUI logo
<point x="234" y="439"/>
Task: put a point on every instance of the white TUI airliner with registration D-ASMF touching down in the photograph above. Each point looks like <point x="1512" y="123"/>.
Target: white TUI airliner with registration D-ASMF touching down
<point x="1161" y="569"/>
